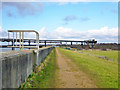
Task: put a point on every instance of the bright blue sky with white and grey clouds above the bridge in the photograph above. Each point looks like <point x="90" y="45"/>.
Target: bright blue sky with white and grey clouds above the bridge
<point x="62" y="20"/>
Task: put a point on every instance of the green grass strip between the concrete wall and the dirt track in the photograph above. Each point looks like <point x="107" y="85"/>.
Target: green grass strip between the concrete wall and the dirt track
<point x="44" y="78"/>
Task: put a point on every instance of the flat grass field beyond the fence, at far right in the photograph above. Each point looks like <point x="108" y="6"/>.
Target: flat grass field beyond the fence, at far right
<point x="111" y="54"/>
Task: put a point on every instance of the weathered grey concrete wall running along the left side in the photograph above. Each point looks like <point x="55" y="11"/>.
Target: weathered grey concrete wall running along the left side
<point x="16" y="66"/>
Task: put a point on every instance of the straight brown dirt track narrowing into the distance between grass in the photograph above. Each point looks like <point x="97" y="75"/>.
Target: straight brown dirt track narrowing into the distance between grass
<point x="69" y="75"/>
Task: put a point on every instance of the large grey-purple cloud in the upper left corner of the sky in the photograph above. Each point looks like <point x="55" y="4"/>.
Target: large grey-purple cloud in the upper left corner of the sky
<point x="23" y="8"/>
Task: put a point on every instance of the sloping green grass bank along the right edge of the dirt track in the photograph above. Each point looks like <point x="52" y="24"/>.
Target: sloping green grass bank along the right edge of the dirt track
<point x="103" y="72"/>
